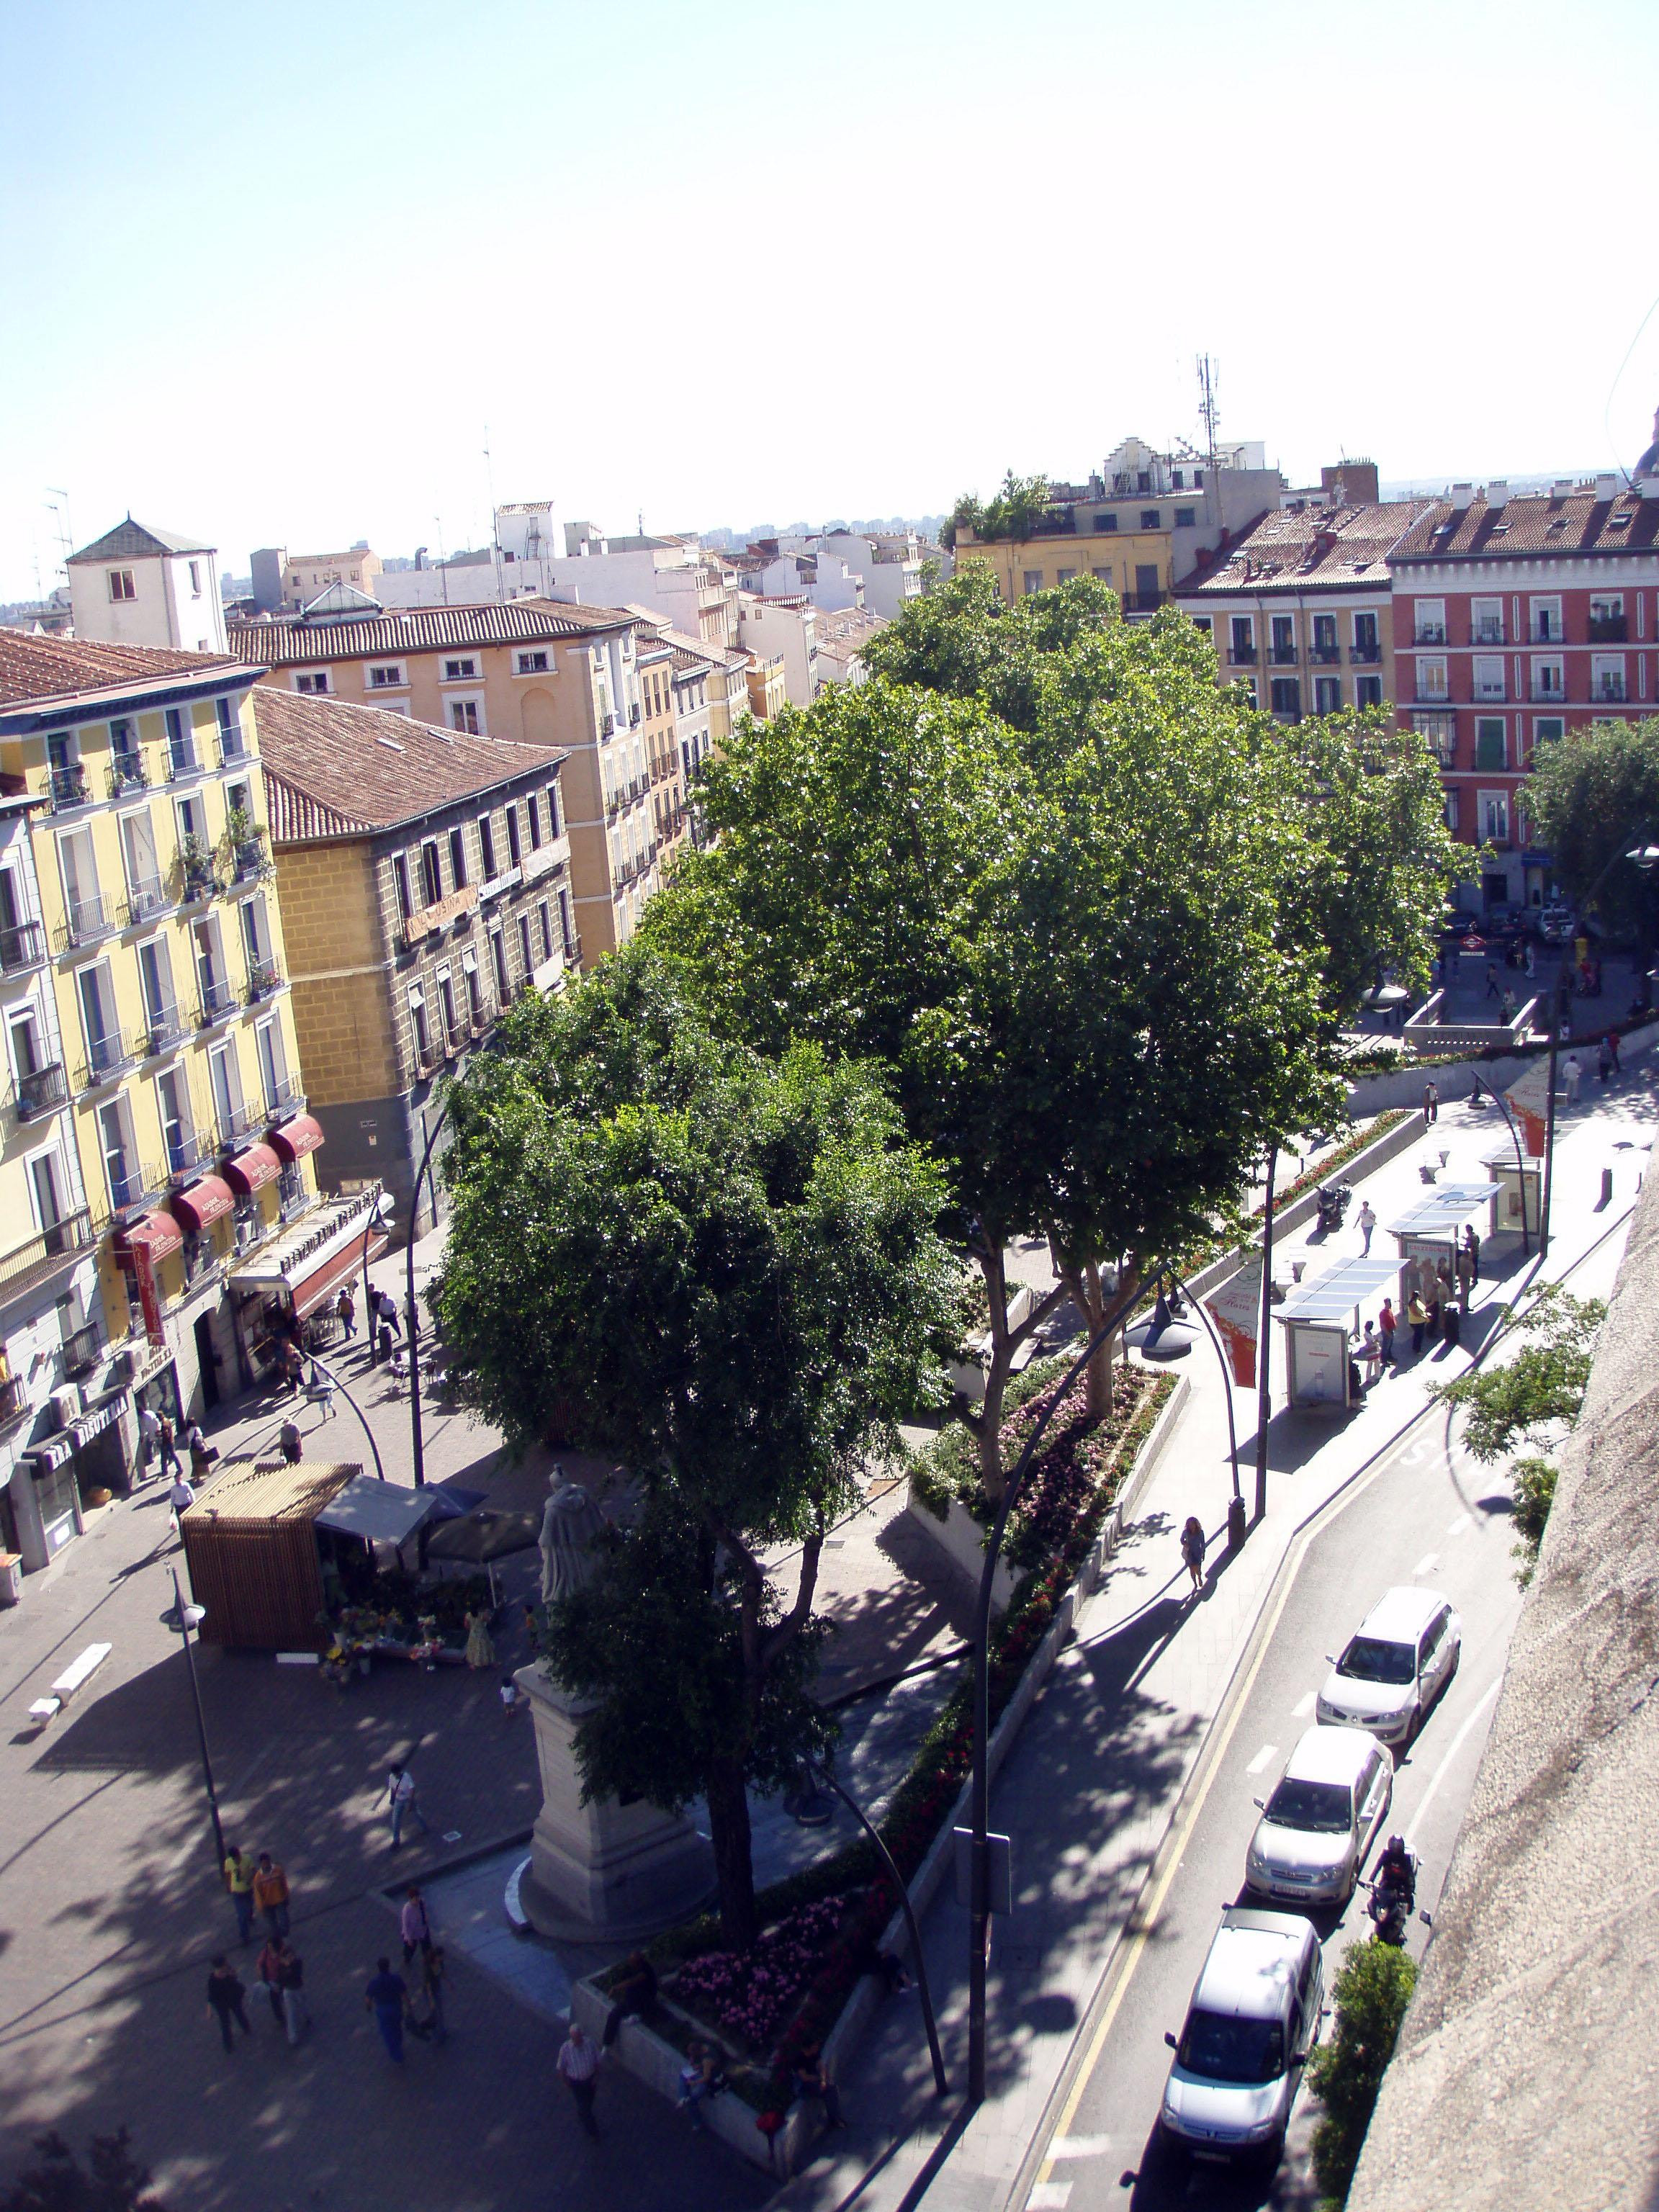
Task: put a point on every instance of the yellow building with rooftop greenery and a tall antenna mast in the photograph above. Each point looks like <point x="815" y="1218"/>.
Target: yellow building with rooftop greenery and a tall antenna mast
<point x="1142" y="523"/>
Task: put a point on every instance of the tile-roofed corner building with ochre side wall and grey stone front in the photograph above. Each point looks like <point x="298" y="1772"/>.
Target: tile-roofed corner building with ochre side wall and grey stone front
<point x="426" y="884"/>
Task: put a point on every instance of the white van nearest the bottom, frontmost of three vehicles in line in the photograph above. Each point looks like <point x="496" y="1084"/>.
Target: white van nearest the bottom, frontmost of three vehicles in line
<point x="1249" y="2030"/>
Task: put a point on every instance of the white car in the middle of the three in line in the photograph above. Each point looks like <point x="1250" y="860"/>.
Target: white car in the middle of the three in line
<point x="1322" y="1819"/>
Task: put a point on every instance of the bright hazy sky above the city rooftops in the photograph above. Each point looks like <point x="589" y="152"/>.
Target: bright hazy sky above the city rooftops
<point x="315" y="275"/>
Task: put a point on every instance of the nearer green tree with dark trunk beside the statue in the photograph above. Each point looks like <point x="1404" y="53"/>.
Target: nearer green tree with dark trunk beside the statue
<point x="724" y="1271"/>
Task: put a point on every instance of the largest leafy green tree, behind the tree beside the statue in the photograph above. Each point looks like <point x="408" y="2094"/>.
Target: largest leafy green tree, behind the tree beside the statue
<point x="1067" y="939"/>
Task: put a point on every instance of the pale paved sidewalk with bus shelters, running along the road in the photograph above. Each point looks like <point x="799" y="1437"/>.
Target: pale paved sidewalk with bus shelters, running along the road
<point x="1096" y="1780"/>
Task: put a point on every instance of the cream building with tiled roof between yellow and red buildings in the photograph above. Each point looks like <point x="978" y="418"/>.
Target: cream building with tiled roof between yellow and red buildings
<point x="1300" y="609"/>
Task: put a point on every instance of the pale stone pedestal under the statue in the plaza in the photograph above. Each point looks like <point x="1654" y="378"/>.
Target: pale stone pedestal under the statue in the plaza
<point x="603" y="1872"/>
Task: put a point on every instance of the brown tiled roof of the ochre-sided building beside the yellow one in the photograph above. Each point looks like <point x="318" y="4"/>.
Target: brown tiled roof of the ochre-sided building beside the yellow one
<point x="348" y="771"/>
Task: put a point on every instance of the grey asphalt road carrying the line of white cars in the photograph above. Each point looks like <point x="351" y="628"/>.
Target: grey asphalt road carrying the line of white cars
<point x="1423" y="1516"/>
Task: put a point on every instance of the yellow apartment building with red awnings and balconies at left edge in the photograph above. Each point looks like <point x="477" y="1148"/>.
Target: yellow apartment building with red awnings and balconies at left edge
<point x="158" y="1100"/>
